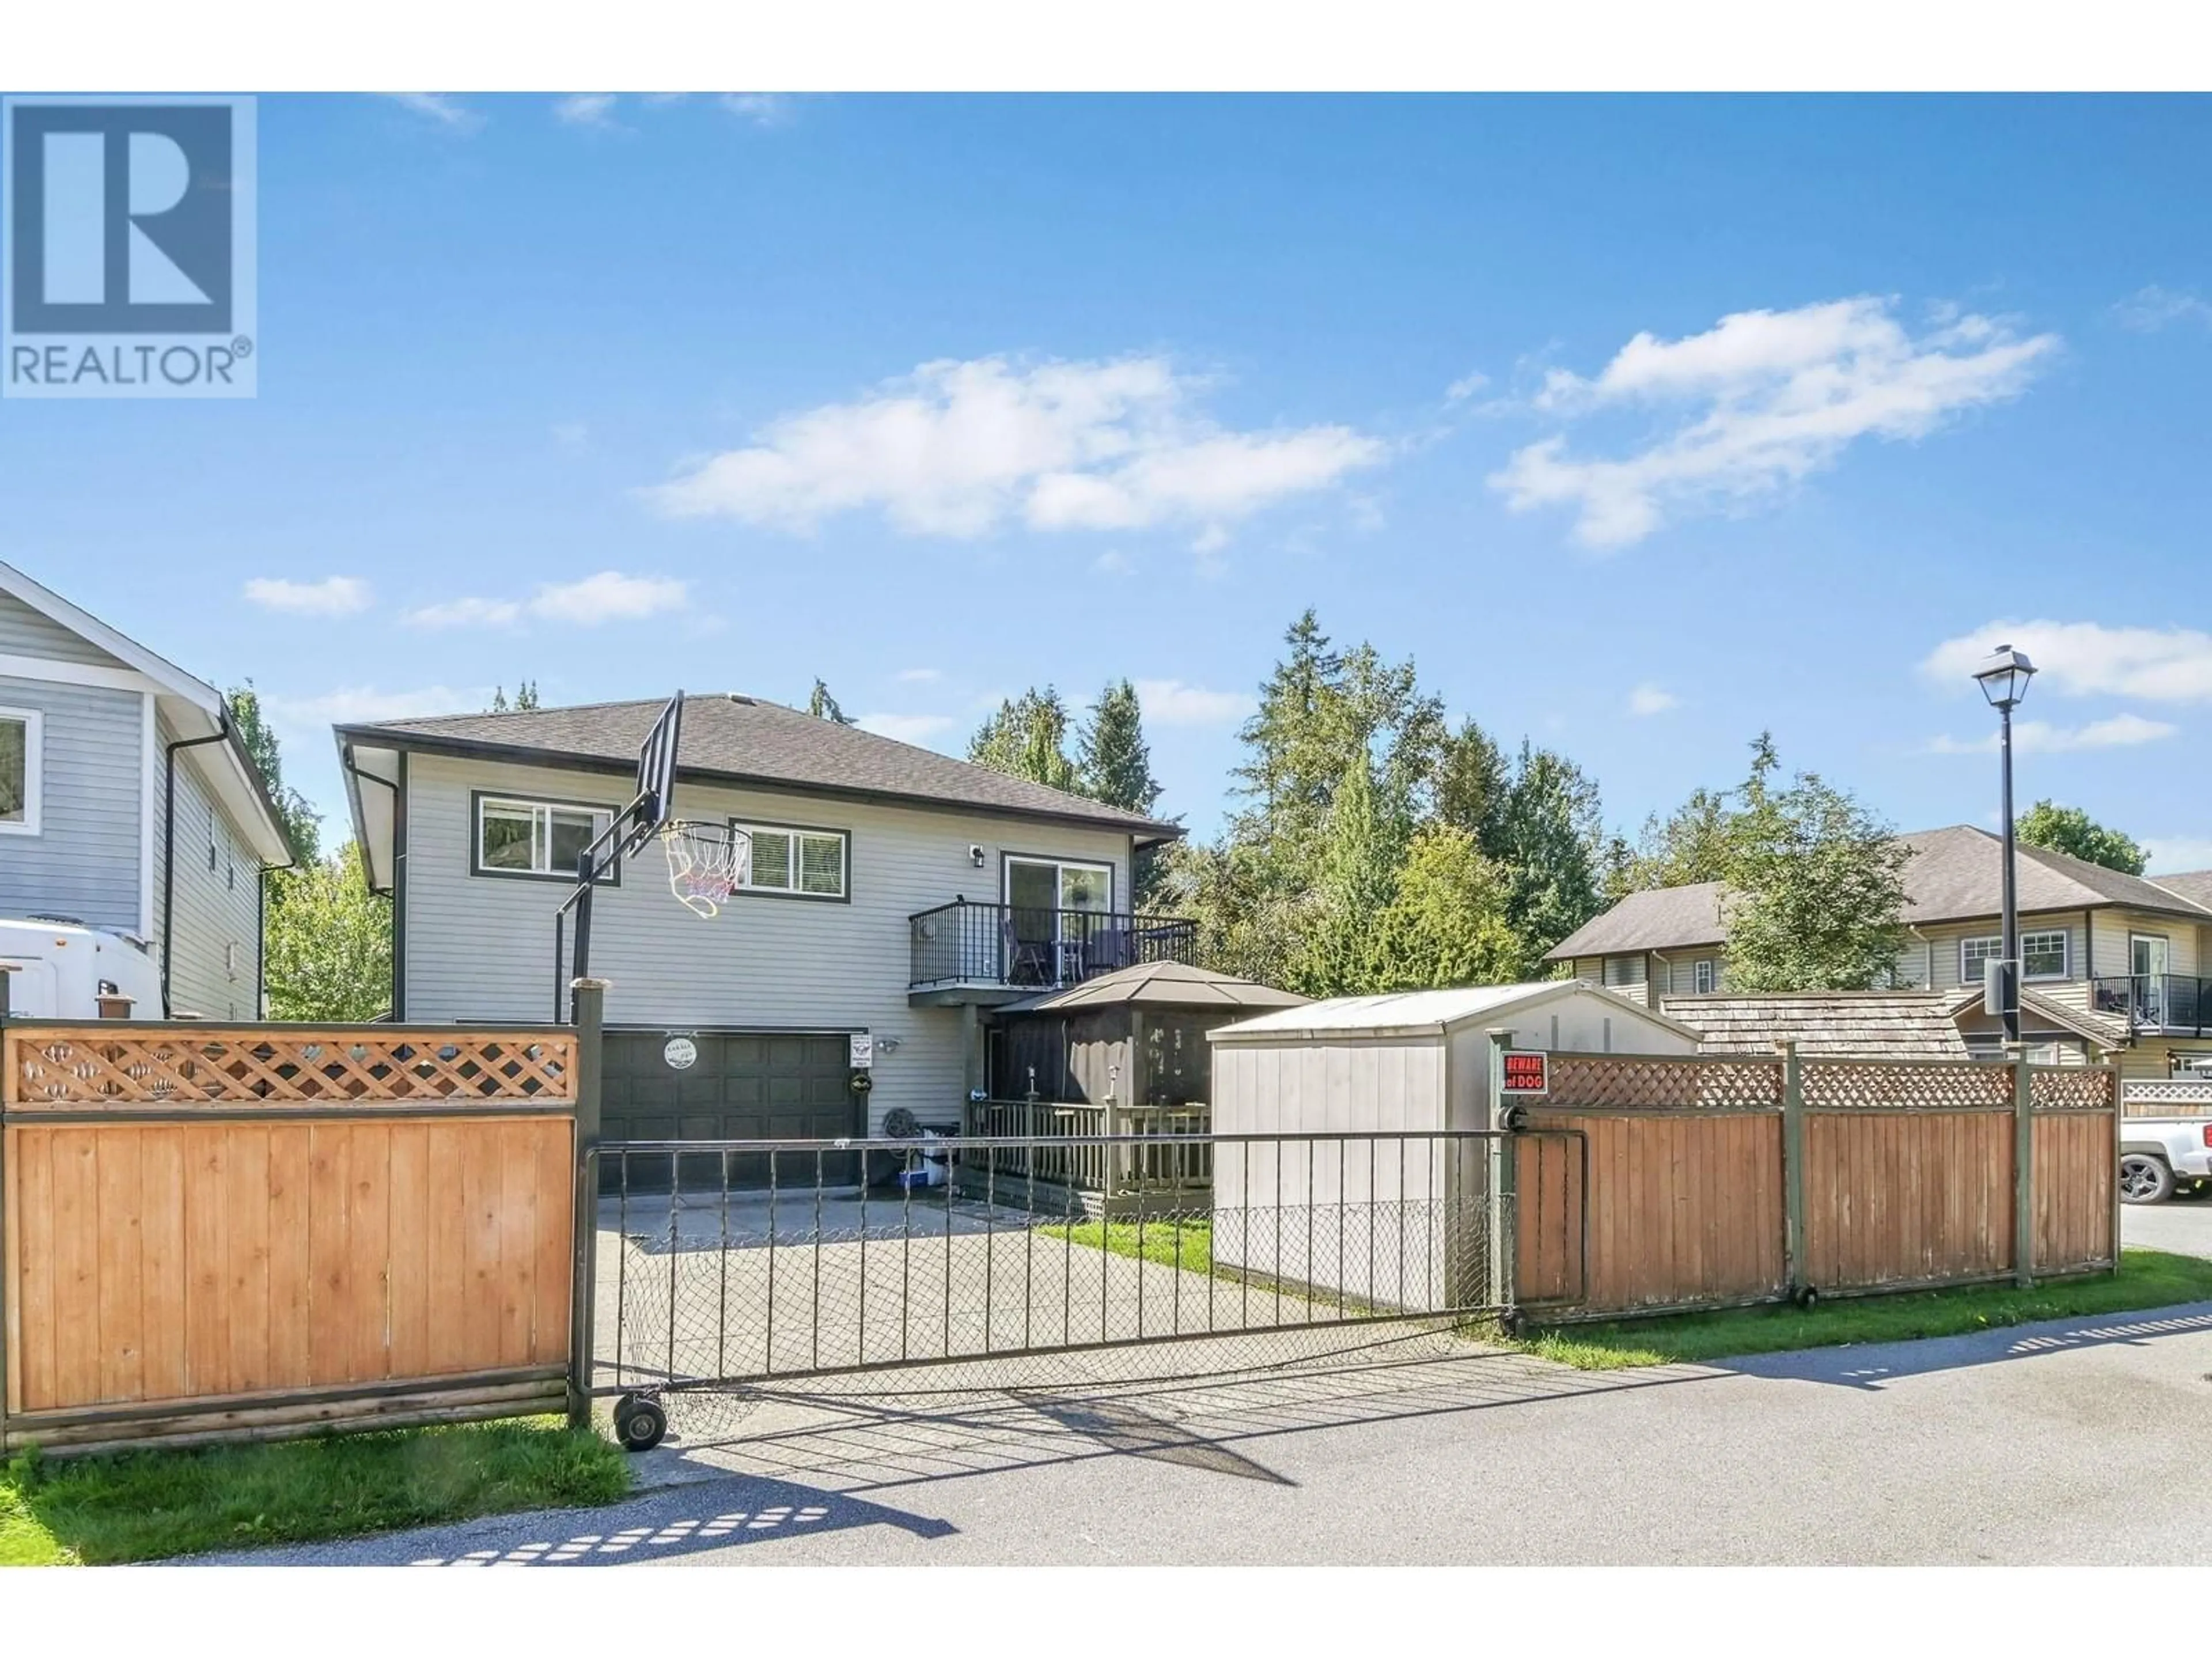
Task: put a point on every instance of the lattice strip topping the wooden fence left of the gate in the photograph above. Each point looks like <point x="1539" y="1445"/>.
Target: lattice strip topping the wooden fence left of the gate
<point x="74" y="1067"/>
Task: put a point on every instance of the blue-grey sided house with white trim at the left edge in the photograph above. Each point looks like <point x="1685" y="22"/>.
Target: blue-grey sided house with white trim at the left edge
<point x="129" y="804"/>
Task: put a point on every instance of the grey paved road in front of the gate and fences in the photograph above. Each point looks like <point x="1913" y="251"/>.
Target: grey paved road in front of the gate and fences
<point x="2023" y="1446"/>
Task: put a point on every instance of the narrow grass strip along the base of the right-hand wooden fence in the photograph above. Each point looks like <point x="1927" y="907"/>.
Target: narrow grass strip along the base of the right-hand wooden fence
<point x="2145" y="1280"/>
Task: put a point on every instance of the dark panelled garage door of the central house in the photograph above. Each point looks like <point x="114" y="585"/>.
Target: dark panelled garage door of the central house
<point x="740" y="1089"/>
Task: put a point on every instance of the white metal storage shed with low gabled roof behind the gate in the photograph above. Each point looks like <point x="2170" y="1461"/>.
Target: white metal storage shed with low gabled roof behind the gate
<point x="1368" y="1074"/>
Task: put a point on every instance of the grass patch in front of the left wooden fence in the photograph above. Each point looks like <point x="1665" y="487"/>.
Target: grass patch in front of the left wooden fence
<point x="147" y="1505"/>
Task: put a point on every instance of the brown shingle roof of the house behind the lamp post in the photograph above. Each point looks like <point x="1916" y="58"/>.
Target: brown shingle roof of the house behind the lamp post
<point x="1954" y="875"/>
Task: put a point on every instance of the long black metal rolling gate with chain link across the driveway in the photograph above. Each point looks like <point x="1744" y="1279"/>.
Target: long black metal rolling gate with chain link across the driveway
<point x="727" y="1266"/>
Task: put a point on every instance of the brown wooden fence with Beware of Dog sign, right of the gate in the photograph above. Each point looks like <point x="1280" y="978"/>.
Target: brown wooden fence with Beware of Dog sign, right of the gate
<point x="1715" y="1182"/>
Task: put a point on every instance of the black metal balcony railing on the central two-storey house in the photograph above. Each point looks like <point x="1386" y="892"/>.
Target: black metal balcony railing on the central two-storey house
<point x="1019" y="946"/>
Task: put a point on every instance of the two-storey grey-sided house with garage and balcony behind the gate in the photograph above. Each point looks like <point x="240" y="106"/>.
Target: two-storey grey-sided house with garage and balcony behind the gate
<point x="890" y="895"/>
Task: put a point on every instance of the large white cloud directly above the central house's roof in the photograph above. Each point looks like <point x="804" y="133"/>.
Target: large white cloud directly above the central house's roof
<point x="968" y="448"/>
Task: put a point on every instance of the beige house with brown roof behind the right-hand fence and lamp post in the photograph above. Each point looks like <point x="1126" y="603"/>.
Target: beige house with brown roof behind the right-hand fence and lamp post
<point x="2109" y="961"/>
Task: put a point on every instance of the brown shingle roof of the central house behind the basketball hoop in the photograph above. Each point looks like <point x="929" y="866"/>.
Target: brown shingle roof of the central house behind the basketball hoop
<point x="742" y="740"/>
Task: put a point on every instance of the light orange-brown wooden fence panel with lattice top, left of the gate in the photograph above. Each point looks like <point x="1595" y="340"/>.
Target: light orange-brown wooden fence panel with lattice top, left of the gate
<point x="216" y="1231"/>
